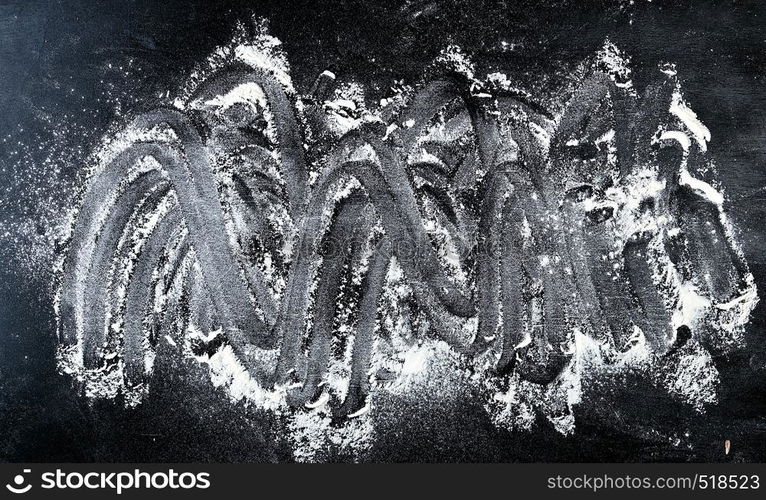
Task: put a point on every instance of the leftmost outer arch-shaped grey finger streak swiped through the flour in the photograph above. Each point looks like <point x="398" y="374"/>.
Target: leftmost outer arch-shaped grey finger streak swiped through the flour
<point x="191" y="188"/>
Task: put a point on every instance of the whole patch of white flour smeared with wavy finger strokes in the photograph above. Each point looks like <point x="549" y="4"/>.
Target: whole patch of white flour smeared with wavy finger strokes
<point x="318" y="255"/>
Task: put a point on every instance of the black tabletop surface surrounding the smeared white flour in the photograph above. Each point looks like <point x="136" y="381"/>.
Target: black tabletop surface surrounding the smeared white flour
<point x="59" y="65"/>
